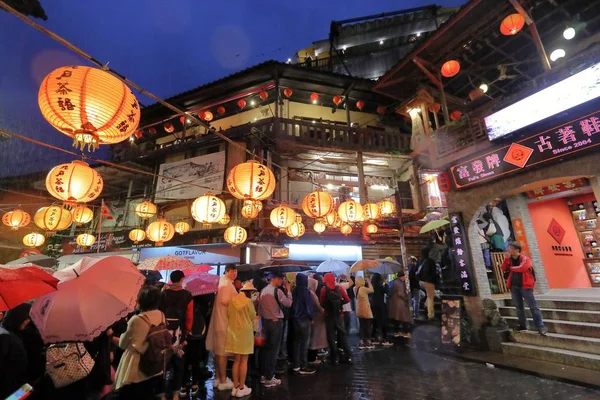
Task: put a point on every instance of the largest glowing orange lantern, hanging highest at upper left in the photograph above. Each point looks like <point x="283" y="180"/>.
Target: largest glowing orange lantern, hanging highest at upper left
<point x="89" y="105"/>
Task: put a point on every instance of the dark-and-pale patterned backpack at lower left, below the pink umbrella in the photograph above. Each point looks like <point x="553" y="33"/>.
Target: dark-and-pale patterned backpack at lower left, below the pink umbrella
<point x="68" y="363"/>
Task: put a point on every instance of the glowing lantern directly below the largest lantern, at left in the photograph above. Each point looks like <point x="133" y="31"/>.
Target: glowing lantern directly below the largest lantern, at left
<point x="75" y="182"/>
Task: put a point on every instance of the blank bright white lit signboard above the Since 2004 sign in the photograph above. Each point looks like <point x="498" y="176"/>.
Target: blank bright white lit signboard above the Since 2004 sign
<point x="573" y="91"/>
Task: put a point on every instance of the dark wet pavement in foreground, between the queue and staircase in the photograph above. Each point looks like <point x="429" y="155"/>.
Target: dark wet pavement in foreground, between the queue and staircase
<point x="404" y="372"/>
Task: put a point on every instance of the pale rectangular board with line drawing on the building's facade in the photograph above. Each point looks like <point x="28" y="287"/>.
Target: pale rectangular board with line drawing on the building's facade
<point x="205" y="173"/>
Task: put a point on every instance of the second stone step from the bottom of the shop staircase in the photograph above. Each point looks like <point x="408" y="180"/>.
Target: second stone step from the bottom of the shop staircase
<point x="559" y="341"/>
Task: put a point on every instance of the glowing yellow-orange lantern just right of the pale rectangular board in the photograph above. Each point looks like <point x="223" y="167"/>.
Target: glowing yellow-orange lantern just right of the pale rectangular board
<point x="251" y="181"/>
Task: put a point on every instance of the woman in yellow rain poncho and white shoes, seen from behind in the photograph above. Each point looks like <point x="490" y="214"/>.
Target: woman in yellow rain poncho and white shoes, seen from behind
<point x="240" y="337"/>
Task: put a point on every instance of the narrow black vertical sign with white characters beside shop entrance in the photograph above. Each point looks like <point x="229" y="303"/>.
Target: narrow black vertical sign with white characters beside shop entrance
<point x="460" y="250"/>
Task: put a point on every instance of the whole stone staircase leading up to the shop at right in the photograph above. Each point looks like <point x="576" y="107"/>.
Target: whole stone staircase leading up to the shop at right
<point x="573" y="333"/>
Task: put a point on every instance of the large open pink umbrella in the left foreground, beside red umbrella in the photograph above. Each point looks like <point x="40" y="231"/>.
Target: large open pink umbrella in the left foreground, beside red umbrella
<point x="92" y="294"/>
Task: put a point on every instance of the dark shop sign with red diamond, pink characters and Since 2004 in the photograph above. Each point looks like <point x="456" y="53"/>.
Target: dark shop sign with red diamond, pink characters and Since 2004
<point x="558" y="142"/>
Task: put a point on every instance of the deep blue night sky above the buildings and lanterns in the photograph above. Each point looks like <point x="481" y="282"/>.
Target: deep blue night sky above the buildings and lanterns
<point x="167" y="47"/>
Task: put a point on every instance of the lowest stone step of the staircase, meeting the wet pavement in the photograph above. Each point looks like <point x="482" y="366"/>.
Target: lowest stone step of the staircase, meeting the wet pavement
<point x="560" y="356"/>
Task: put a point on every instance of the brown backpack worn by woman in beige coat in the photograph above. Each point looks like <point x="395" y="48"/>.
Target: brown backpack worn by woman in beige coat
<point x="154" y="359"/>
